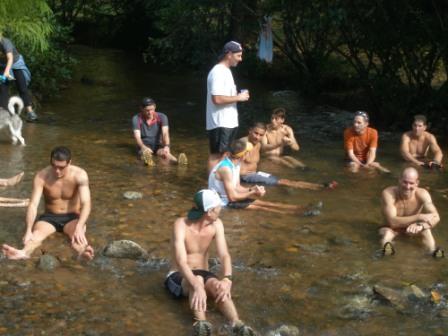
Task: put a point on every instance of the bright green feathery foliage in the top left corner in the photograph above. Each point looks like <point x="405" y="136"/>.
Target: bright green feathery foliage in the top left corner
<point x="27" y="22"/>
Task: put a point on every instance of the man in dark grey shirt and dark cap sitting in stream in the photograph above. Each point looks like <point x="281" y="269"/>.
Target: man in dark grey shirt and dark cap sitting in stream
<point x="151" y="133"/>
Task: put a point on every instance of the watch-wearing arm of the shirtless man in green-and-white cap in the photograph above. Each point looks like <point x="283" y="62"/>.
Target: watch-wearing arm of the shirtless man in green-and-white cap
<point x="224" y="286"/>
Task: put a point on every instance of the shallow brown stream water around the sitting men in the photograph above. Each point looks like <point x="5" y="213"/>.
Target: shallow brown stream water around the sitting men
<point x="291" y="270"/>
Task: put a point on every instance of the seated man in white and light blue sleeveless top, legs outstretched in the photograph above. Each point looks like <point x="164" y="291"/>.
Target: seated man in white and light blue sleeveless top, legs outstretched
<point x="225" y="179"/>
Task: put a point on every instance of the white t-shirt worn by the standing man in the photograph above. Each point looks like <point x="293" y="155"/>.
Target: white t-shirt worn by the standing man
<point x="220" y="83"/>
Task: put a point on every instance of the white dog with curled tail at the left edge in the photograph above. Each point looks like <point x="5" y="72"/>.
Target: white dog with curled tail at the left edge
<point x="12" y="121"/>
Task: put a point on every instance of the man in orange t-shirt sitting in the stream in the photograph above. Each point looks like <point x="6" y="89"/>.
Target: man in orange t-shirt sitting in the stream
<point x="361" y="143"/>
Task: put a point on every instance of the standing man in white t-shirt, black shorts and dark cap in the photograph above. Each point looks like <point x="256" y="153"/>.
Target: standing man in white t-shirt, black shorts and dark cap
<point x="222" y="96"/>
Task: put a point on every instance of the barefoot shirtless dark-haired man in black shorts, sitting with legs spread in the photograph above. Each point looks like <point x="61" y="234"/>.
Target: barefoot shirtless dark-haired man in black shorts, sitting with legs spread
<point x="67" y="206"/>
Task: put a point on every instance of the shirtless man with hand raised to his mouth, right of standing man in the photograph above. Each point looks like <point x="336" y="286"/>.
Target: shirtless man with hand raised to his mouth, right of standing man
<point x="277" y="137"/>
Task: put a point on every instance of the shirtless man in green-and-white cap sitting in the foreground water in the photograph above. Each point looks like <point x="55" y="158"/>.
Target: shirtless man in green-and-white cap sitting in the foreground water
<point x="189" y="274"/>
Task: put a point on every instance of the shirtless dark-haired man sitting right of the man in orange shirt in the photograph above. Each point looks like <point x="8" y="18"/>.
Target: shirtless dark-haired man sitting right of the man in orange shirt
<point x="416" y="144"/>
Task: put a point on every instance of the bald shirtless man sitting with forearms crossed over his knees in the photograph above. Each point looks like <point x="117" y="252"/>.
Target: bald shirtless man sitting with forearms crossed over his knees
<point x="409" y="210"/>
